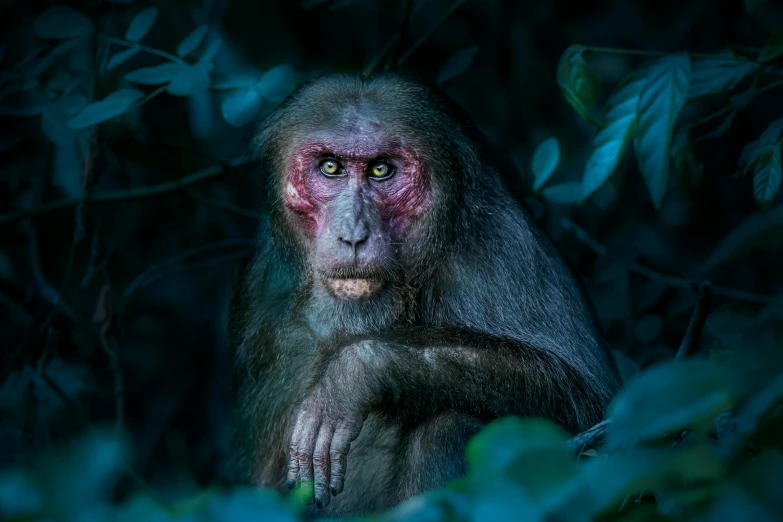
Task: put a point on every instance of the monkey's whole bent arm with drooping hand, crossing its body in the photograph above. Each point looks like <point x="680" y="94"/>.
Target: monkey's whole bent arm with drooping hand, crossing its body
<point x="421" y="372"/>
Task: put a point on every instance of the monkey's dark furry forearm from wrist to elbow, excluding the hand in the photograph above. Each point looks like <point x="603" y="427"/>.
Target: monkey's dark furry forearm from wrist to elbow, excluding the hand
<point x="489" y="377"/>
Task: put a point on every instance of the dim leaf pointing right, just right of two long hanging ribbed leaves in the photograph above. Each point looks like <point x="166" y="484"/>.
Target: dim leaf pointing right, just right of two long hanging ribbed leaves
<point x="716" y="75"/>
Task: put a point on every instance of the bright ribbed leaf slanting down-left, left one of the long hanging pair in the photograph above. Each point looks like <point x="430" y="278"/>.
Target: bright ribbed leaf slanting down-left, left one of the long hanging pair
<point x="611" y="140"/>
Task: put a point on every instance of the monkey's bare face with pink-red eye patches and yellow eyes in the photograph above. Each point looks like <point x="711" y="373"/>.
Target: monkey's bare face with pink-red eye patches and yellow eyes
<point x="356" y="193"/>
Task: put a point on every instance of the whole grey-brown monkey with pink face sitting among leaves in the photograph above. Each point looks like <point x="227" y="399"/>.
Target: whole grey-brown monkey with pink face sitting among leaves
<point x="399" y="299"/>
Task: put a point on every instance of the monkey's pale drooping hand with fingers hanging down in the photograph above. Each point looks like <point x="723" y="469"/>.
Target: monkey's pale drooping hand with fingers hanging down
<point x="329" y="419"/>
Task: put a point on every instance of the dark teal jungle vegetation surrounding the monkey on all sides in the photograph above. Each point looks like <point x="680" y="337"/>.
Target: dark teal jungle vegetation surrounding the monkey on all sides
<point x="124" y="209"/>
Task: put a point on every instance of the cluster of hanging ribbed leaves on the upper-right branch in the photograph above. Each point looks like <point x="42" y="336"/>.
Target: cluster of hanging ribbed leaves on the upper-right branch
<point x="645" y="108"/>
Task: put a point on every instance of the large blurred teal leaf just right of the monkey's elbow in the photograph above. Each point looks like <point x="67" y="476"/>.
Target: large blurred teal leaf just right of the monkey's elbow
<point x="666" y="399"/>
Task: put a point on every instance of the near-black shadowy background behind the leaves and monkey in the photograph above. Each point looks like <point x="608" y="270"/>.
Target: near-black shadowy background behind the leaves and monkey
<point x="81" y="346"/>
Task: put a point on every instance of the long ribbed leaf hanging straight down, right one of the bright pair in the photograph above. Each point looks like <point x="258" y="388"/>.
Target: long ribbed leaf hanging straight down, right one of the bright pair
<point x="660" y="103"/>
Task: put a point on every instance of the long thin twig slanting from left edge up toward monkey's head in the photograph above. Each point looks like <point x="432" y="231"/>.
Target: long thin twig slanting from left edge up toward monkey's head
<point x="125" y="195"/>
